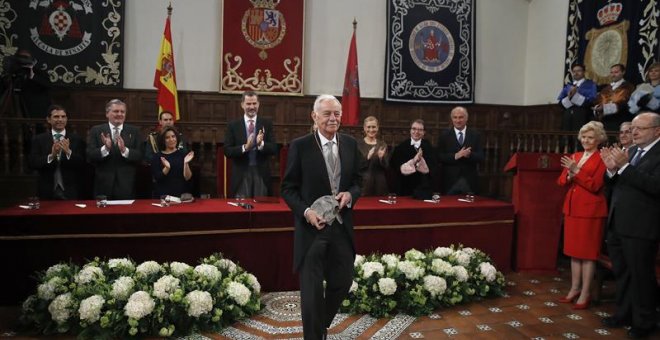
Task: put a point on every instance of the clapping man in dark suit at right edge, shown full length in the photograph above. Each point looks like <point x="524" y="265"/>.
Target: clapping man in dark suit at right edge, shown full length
<point x="634" y="225"/>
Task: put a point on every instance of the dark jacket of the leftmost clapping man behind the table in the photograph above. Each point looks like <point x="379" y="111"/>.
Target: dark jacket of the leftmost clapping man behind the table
<point x="72" y="168"/>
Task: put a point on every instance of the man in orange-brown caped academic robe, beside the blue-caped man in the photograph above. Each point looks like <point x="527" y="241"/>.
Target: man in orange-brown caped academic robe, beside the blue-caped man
<point x="611" y="105"/>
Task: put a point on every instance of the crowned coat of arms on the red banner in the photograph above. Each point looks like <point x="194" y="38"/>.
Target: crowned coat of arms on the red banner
<point x="263" y="26"/>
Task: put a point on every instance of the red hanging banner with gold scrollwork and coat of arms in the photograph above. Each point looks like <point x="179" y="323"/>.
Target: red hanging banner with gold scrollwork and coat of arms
<point x="262" y="46"/>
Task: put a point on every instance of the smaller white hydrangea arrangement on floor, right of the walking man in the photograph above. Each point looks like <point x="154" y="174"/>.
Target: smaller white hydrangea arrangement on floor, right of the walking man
<point x="420" y="282"/>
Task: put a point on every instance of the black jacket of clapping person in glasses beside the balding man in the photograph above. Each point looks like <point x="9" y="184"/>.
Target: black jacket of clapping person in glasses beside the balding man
<point x="416" y="184"/>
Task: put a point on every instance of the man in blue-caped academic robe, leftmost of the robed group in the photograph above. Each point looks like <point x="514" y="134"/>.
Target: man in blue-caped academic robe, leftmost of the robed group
<point x="576" y="98"/>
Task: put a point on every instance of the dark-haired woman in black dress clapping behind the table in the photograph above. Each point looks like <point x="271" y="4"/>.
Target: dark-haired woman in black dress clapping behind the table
<point x="170" y="166"/>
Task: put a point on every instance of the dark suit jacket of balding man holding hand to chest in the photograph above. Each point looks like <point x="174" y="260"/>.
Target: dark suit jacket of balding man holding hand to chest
<point x="453" y="169"/>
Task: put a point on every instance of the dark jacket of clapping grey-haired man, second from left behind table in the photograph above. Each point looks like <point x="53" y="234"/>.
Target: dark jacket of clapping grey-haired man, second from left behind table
<point x="114" y="175"/>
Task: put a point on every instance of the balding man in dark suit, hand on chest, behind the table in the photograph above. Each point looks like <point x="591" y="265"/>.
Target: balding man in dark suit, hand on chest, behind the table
<point x="460" y="153"/>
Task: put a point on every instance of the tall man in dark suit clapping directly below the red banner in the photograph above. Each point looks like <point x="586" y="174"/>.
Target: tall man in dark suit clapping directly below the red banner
<point x="250" y="143"/>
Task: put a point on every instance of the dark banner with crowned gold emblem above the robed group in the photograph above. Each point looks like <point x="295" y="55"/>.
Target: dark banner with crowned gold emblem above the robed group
<point x="604" y="33"/>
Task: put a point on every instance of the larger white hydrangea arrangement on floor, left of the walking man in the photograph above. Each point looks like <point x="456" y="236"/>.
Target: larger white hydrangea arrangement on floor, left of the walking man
<point x="118" y="298"/>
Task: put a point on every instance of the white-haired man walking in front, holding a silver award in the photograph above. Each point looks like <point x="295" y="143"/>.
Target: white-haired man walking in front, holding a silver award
<point x="322" y="164"/>
